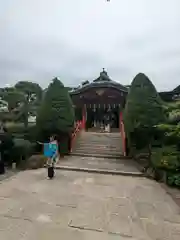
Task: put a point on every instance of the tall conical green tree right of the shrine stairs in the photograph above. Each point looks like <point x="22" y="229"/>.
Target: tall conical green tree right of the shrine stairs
<point x="143" y="111"/>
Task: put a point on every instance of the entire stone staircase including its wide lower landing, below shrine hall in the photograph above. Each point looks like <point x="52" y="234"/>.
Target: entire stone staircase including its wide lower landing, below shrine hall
<point x="99" y="152"/>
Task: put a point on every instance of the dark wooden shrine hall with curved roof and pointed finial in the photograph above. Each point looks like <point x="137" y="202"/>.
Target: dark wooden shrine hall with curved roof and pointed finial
<point x="99" y="102"/>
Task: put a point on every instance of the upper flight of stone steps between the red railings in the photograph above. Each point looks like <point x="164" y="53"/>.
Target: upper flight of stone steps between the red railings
<point x="100" y="145"/>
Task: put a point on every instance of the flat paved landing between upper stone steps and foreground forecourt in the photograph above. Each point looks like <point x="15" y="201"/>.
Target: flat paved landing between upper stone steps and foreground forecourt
<point x="124" y="165"/>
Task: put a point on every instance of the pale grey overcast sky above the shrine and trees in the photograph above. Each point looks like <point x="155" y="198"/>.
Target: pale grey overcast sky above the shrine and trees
<point x="75" y="39"/>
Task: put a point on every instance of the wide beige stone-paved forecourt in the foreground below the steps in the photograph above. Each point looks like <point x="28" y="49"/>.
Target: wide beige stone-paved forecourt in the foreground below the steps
<point x="77" y="205"/>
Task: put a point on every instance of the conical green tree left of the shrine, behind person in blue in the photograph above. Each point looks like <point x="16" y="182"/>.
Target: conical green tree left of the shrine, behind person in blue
<point x="56" y="113"/>
